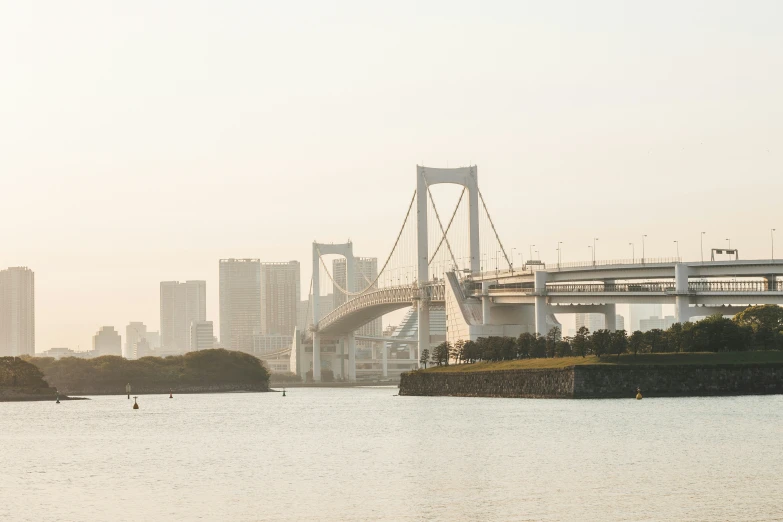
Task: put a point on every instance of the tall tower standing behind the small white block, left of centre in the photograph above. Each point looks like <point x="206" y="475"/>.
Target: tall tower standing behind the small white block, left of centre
<point x="180" y="305"/>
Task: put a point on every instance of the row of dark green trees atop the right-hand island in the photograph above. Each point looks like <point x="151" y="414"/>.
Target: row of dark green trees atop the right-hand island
<point x="755" y="328"/>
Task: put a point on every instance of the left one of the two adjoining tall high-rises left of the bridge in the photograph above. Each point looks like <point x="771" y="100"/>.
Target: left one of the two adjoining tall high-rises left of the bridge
<point x="240" y="303"/>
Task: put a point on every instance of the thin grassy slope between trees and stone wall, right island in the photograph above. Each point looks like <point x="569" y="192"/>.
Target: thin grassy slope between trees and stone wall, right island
<point x="701" y="358"/>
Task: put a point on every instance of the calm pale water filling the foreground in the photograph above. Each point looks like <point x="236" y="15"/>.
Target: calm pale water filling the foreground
<point x="363" y="454"/>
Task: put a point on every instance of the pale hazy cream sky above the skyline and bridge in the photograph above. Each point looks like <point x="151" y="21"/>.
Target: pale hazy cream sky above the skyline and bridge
<point x="142" y="141"/>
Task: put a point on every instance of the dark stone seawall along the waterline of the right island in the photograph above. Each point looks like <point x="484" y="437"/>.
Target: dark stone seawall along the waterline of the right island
<point x="599" y="381"/>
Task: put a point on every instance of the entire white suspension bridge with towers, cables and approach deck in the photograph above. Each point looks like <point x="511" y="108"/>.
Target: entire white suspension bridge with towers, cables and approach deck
<point x="444" y="269"/>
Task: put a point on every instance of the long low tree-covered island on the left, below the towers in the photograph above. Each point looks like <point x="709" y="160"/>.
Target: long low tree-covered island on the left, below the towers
<point x="111" y="373"/>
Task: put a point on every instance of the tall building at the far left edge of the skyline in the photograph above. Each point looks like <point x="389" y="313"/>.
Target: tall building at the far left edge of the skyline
<point x="17" y="312"/>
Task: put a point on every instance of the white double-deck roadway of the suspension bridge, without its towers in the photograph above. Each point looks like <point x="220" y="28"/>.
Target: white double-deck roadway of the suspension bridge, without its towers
<point x="568" y="289"/>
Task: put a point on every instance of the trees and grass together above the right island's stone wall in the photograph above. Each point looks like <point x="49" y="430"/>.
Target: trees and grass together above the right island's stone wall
<point x="743" y="338"/>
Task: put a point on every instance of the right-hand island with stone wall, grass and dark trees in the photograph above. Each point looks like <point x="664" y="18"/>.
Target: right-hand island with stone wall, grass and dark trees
<point x="713" y="356"/>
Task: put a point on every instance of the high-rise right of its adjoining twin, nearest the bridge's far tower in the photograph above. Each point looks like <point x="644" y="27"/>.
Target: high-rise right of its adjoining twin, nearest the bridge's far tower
<point x="280" y="292"/>
